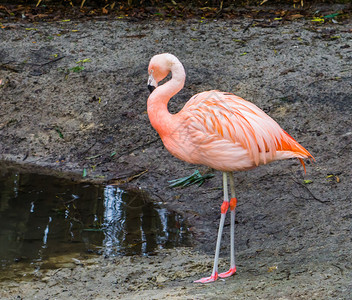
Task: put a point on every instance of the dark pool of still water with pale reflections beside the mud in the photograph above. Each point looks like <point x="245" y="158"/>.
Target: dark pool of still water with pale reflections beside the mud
<point x="45" y="221"/>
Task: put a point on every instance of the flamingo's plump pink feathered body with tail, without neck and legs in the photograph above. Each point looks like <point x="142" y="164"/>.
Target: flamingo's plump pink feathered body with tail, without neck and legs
<point x="227" y="133"/>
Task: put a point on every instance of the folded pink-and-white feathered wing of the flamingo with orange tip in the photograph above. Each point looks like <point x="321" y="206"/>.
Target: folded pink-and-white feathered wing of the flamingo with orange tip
<point x="222" y="118"/>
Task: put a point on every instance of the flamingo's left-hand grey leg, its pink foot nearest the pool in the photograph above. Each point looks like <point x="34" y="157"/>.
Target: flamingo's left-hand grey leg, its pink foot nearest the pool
<point x="225" y="205"/>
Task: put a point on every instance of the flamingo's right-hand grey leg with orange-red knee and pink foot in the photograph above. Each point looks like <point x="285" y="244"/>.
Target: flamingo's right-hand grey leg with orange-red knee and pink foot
<point x="233" y="203"/>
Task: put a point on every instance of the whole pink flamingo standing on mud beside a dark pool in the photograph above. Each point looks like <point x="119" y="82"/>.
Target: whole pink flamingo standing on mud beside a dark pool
<point x="219" y="130"/>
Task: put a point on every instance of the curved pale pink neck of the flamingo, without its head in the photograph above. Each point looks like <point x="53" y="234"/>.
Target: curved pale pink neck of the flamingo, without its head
<point x="158" y="113"/>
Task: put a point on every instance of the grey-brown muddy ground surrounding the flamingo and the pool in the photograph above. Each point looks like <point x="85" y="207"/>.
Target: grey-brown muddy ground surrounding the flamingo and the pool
<point x="293" y="239"/>
